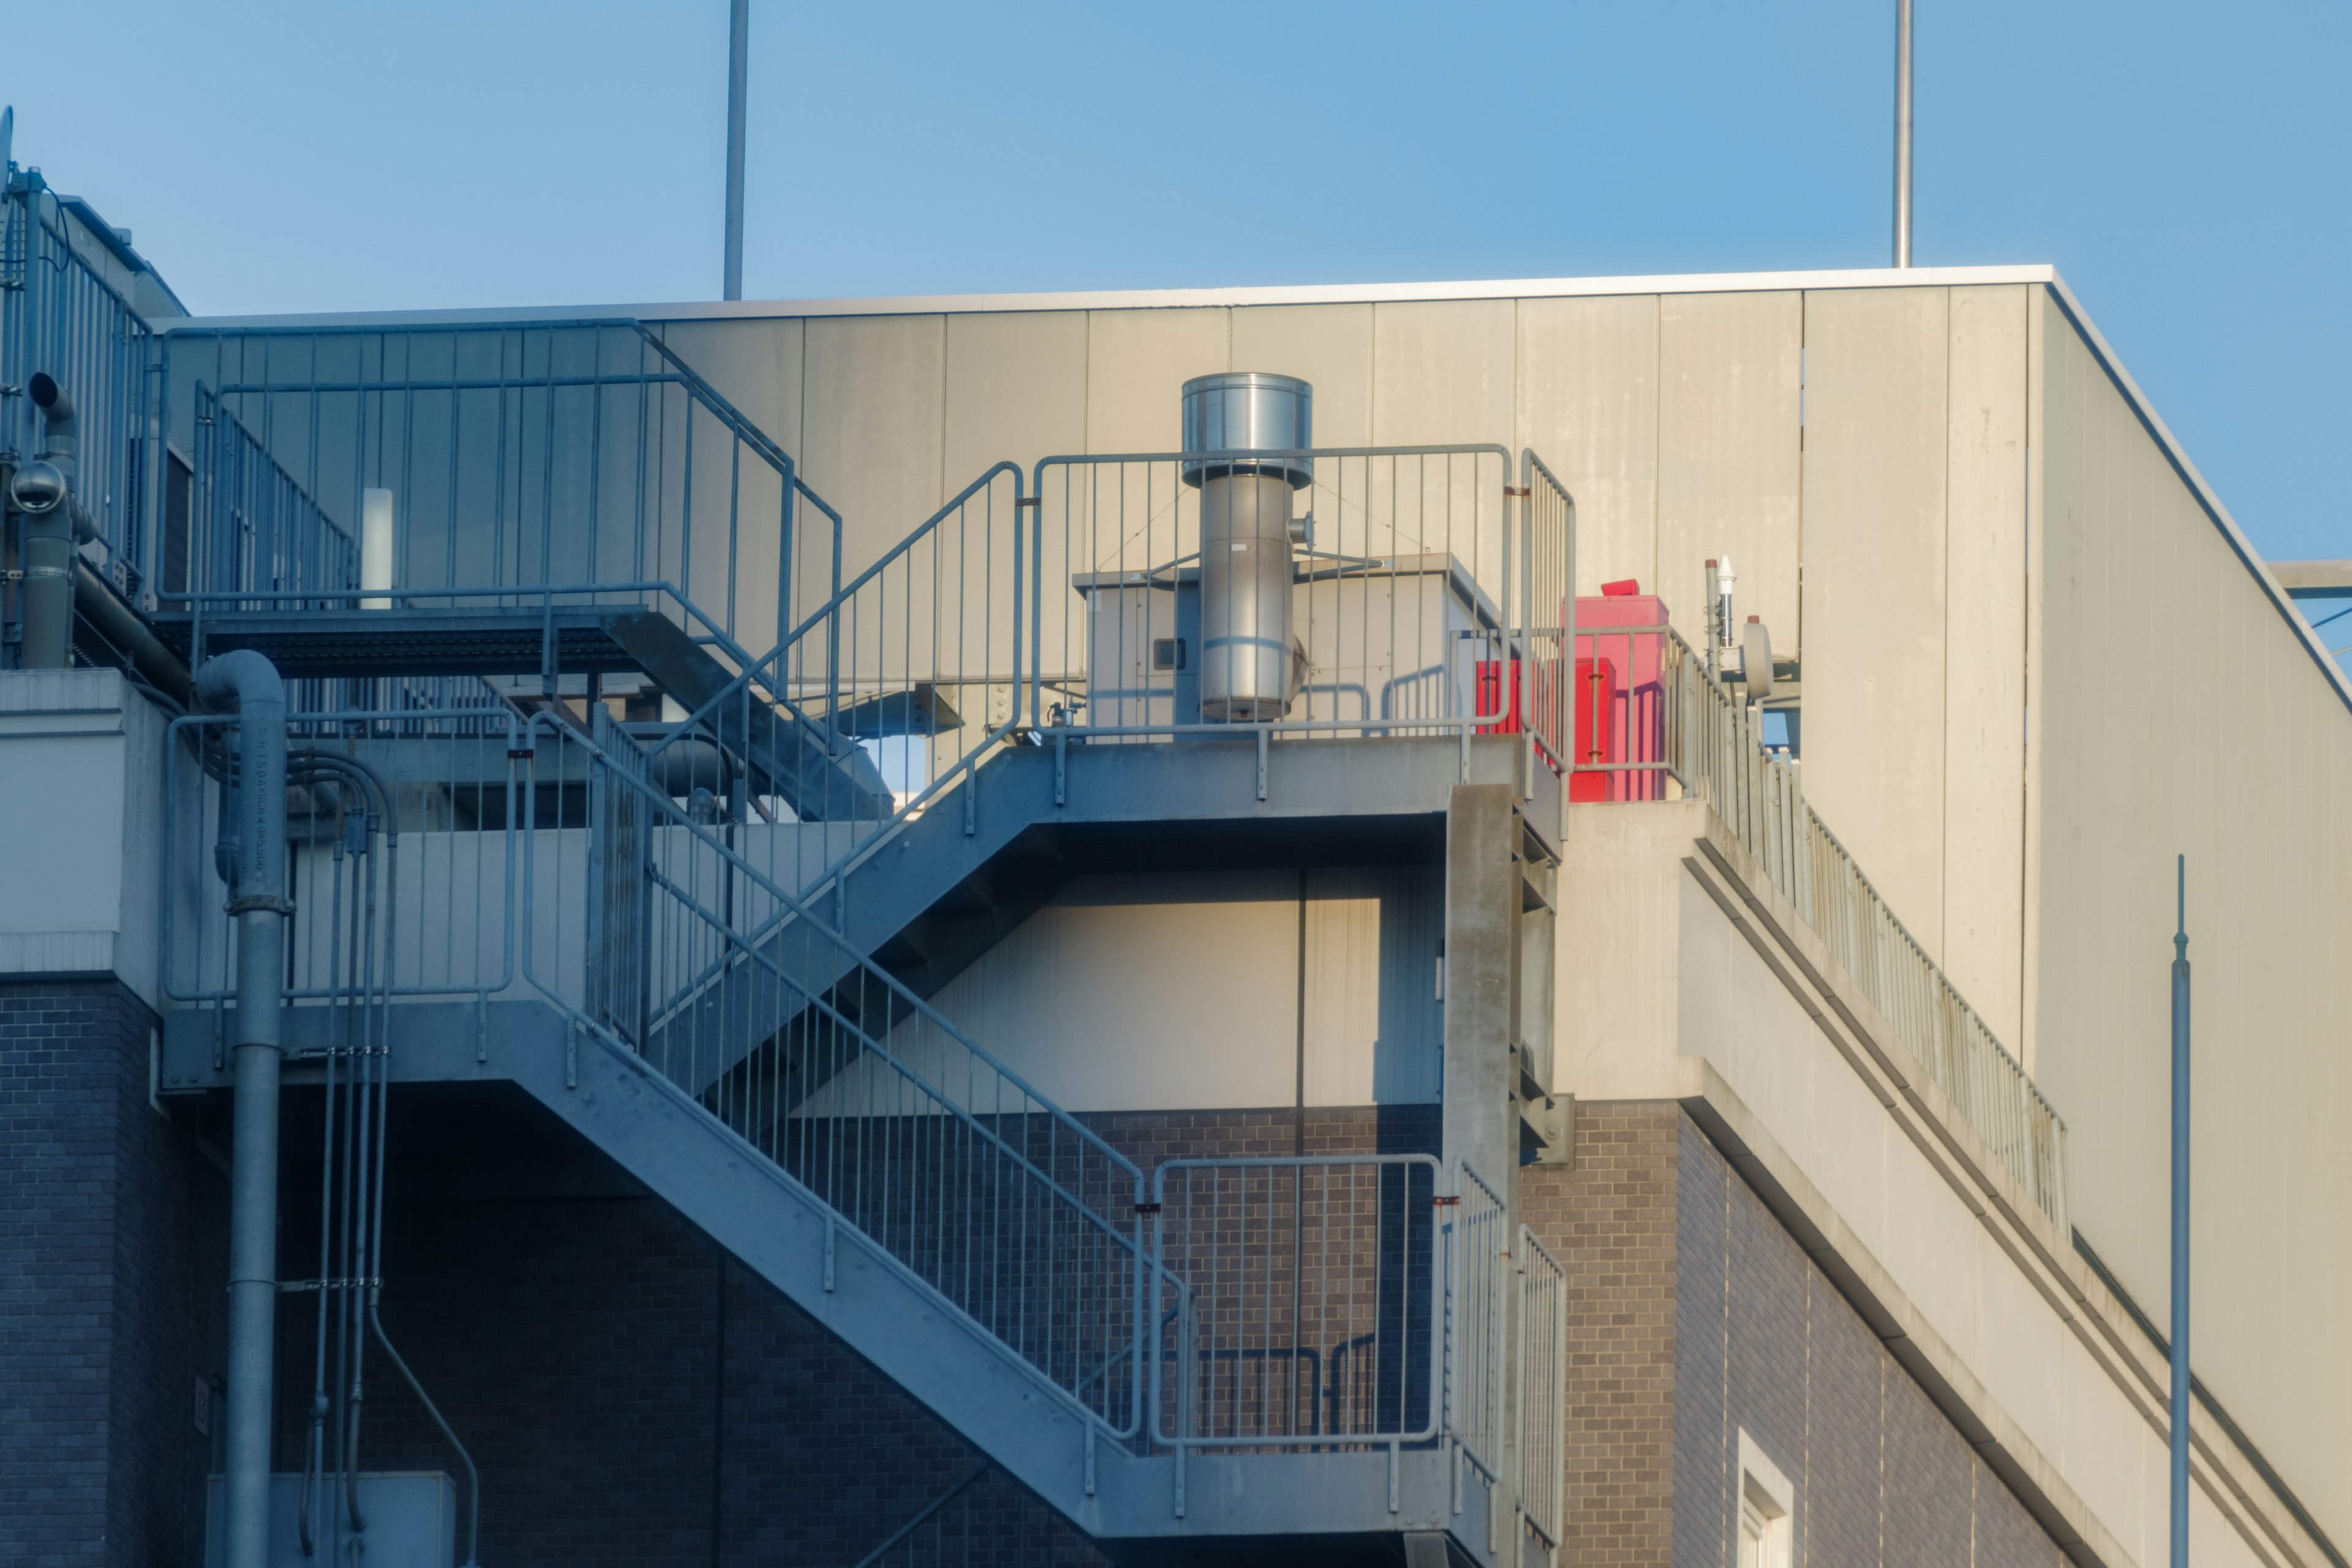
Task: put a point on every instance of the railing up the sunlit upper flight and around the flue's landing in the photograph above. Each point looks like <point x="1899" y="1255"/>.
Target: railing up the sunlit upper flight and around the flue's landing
<point x="984" y="629"/>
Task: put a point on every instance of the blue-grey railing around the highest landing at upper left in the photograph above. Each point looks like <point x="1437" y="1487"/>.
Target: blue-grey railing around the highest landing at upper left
<point x="634" y="467"/>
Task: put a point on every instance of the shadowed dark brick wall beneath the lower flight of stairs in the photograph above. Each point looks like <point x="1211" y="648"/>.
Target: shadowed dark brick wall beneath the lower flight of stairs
<point x="577" y="1351"/>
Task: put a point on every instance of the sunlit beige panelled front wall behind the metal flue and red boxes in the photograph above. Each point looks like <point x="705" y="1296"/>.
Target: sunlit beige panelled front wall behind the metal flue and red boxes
<point x="1859" y="453"/>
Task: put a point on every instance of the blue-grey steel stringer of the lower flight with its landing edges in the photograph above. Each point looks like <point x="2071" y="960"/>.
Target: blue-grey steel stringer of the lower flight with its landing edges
<point x="876" y="1306"/>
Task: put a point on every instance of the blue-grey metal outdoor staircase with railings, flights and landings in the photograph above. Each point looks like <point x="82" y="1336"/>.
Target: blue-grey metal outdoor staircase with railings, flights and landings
<point x="711" y="944"/>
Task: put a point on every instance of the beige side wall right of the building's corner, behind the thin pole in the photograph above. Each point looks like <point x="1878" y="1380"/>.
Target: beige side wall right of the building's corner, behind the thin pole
<point x="2181" y="716"/>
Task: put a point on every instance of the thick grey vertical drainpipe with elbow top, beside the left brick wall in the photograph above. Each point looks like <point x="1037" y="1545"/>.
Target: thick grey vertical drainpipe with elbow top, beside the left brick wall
<point x="250" y="685"/>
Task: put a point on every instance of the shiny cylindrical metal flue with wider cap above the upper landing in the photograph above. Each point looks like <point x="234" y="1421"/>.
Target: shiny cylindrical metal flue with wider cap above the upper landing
<point x="1250" y="664"/>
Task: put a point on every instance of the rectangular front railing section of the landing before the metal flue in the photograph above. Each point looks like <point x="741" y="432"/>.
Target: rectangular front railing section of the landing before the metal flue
<point x="1410" y="594"/>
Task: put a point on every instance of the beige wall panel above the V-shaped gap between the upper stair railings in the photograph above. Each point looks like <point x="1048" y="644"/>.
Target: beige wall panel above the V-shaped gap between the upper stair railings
<point x="874" y="427"/>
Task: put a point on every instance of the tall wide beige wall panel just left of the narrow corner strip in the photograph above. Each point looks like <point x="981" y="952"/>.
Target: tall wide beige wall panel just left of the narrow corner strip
<point x="1876" y="589"/>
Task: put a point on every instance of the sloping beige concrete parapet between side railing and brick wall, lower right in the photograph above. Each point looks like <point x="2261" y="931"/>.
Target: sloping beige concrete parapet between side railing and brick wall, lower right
<point x="1666" y="998"/>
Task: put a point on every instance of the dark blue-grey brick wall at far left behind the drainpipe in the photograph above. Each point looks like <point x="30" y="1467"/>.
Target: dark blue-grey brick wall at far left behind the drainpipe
<point x="112" y="1287"/>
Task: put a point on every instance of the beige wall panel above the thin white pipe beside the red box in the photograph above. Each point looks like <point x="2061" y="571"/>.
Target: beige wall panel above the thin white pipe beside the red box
<point x="1730" y="455"/>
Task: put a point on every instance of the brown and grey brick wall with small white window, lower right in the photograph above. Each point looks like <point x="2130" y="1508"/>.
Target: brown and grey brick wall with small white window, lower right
<point x="1692" y="1318"/>
